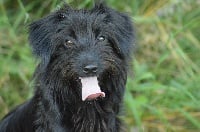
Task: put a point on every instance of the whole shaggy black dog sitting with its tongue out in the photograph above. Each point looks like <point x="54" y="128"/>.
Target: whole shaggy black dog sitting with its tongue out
<point x="80" y="82"/>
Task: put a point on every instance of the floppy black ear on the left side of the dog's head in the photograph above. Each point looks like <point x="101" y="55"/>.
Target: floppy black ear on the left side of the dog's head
<point x="41" y="33"/>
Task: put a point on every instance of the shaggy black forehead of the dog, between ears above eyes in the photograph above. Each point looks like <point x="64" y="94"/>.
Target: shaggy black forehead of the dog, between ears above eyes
<point x="84" y="22"/>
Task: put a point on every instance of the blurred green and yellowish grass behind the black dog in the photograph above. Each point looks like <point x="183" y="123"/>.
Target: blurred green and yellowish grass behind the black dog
<point x="163" y="94"/>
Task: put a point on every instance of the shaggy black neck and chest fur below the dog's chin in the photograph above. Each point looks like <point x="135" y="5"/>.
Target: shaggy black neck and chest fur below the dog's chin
<point x="97" y="115"/>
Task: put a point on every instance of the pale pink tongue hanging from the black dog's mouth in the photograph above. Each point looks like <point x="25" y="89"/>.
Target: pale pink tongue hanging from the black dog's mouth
<point x="90" y="88"/>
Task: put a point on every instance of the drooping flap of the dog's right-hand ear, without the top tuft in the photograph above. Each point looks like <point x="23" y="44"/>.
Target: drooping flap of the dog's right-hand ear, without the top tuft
<point x="123" y="32"/>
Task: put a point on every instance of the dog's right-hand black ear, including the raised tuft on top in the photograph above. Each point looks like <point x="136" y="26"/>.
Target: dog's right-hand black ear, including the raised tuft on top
<point x="121" y="29"/>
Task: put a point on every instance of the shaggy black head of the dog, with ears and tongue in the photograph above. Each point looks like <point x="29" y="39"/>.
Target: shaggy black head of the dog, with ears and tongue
<point x="83" y="49"/>
